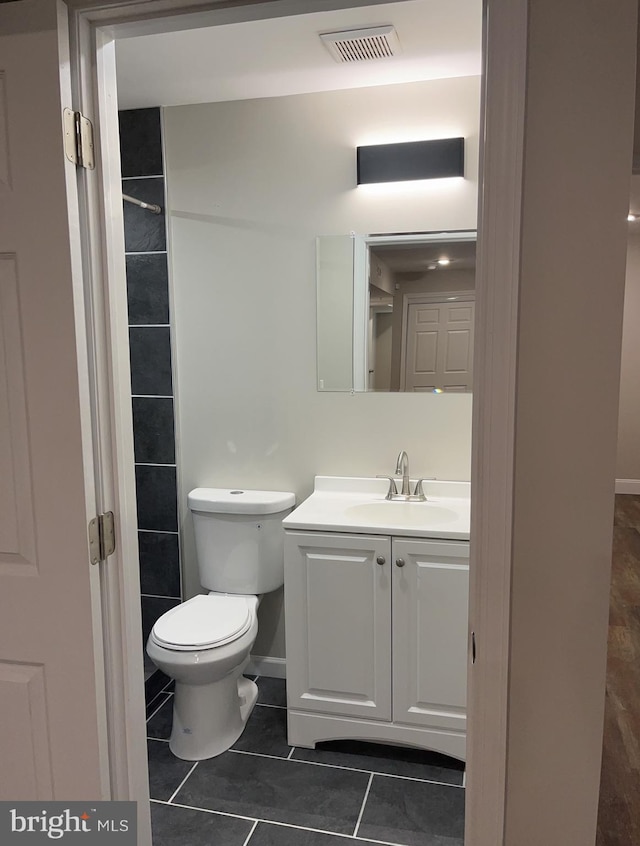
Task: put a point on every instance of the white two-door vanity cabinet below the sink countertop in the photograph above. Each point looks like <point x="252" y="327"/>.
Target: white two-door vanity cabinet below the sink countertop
<point x="376" y="632"/>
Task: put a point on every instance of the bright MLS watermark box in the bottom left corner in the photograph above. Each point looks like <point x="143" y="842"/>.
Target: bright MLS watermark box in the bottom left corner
<point x="36" y="823"/>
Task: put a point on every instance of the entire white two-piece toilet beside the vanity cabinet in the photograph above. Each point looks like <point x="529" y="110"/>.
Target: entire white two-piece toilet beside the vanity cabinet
<point x="204" y="643"/>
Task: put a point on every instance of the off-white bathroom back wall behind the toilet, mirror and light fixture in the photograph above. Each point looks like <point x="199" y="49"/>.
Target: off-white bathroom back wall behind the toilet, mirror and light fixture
<point x="251" y="184"/>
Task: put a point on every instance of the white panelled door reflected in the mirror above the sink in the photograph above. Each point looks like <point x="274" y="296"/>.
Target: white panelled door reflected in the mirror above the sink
<point x="439" y="346"/>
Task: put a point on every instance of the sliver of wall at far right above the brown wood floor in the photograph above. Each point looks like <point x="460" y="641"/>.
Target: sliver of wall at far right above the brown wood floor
<point x="628" y="457"/>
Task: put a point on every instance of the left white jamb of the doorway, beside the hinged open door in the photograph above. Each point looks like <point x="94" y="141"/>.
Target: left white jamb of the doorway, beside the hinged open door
<point x="92" y="65"/>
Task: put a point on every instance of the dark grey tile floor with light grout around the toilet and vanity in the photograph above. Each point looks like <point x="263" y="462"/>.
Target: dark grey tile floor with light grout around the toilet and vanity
<point x="263" y="792"/>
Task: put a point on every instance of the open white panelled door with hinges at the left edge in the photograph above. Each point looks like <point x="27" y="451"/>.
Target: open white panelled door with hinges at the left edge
<point x="50" y="727"/>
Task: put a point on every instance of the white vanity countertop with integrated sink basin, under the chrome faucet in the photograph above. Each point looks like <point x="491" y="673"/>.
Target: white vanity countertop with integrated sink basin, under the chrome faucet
<point x="354" y="504"/>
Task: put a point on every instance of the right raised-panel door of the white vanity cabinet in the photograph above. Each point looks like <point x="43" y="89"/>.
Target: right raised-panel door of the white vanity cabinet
<point x="430" y="609"/>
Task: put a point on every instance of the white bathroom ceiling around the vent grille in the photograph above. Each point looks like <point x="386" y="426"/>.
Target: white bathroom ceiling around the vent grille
<point x="283" y="56"/>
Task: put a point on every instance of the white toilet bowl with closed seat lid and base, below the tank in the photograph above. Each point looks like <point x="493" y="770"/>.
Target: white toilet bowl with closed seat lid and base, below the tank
<point x="204" y="644"/>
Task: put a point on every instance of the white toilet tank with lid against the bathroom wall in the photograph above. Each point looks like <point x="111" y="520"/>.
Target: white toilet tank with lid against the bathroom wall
<point x="239" y="538"/>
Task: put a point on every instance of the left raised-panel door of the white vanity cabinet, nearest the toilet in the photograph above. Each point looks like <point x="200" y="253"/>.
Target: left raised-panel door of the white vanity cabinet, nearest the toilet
<point x="338" y="624"/>
